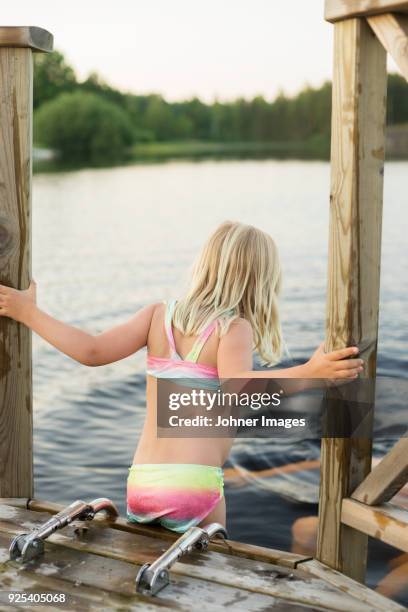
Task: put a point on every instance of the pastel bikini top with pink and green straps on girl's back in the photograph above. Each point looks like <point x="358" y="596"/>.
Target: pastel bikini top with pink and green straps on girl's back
<point x="176" y="367"/>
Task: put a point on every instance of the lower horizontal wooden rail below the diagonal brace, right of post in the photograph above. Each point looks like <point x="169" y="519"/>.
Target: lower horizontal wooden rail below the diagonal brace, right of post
<point x="387" y="523"/>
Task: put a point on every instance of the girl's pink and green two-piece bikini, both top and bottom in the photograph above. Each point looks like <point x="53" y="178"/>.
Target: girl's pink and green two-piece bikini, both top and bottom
<point x="177" y="496"/>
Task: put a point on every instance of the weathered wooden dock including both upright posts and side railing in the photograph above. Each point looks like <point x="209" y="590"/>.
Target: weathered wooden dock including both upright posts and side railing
<point x="95" y="563"/>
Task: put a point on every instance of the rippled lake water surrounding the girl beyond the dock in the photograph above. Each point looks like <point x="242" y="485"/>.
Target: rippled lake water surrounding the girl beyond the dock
<point x="107" y="241"/>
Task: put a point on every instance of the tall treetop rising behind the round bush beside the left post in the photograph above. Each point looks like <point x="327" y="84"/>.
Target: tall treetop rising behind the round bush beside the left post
<point x="52" y="76"/>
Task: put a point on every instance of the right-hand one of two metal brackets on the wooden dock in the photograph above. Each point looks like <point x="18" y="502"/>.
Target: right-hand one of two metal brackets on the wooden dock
<point x="153" y="577"/>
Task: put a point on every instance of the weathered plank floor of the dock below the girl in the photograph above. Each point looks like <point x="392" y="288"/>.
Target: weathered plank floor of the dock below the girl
<point x="95" y="565"/>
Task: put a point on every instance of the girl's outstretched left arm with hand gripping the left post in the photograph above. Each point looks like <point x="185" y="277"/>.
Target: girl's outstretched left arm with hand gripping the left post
<point x="107" y="347"/>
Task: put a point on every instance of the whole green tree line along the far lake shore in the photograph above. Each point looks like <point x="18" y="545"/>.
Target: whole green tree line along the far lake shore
<point x="94" y="122"/>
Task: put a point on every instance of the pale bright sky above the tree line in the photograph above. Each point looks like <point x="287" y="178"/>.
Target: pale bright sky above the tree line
<point x="213" y="49"/>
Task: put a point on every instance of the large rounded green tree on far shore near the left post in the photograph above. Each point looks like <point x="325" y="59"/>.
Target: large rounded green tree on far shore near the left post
<point x="83" y="127"/>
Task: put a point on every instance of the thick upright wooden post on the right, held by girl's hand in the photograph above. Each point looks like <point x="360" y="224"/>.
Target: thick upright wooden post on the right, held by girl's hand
<point x="357" y="157"/>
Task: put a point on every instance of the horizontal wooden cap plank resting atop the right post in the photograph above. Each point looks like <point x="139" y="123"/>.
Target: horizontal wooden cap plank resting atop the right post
<point x="334" y="10"/>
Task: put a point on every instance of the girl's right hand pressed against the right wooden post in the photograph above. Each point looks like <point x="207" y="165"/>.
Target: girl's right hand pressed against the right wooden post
<point x="334" y="365"/>
